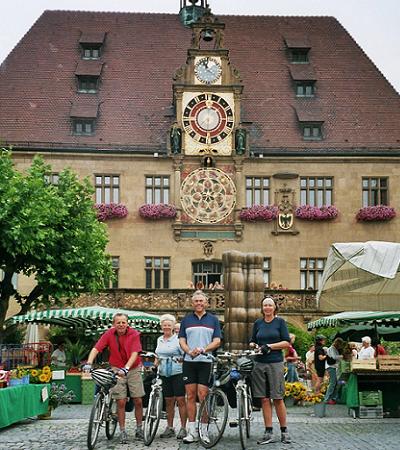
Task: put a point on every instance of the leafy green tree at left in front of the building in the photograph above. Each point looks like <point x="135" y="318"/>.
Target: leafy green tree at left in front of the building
<point x="49" y="232"/>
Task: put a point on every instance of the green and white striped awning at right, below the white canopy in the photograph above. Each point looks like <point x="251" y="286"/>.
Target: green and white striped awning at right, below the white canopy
<point x="381" y="318"/>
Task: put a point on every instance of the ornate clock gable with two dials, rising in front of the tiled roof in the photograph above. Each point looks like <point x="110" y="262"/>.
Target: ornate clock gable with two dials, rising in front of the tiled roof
<point x="207" y="92"/>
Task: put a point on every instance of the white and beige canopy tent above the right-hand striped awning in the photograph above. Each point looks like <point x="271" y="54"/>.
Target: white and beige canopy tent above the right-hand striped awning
<point x="361" y="276"/>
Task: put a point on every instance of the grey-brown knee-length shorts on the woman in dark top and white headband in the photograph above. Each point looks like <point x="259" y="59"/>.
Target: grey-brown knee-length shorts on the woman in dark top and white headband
<point x="268" y="380"/>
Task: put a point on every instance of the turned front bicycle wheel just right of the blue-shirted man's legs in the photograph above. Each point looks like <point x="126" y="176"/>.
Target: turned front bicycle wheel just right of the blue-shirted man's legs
<point x="213" y="414"/>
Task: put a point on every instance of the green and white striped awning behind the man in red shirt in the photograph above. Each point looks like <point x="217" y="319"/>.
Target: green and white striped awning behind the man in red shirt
<point x="92" y="318"/>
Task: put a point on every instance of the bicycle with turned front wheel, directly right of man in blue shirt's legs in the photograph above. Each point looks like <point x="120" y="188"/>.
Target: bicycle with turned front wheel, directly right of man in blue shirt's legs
<point x="213" y="411"/>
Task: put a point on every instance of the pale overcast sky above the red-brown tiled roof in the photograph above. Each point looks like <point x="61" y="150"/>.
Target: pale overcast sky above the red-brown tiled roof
<point x="374" y="24"/>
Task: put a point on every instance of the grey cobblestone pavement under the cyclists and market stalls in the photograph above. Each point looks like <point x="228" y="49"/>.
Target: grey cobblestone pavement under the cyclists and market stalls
<point x="67" y="431"/>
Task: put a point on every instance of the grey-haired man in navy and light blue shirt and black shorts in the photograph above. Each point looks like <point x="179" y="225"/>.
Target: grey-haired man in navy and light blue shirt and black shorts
<point x="200" y="333"/>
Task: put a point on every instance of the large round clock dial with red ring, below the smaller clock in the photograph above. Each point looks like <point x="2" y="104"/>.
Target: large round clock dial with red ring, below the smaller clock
<point x="208" y="118"/>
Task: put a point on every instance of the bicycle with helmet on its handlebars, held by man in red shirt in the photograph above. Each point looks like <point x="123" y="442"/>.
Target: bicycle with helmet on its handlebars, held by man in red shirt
<point x="104" y="409"/>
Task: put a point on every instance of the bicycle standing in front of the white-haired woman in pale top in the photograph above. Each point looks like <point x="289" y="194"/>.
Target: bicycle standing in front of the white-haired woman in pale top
<point x="154" y="408"/>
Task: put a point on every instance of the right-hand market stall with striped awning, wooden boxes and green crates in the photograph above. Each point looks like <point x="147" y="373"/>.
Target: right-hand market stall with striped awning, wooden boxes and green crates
<point x="372" y="385"/>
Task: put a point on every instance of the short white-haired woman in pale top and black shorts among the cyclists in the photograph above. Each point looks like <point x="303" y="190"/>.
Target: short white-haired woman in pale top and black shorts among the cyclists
<point x="170" y="353"/>
